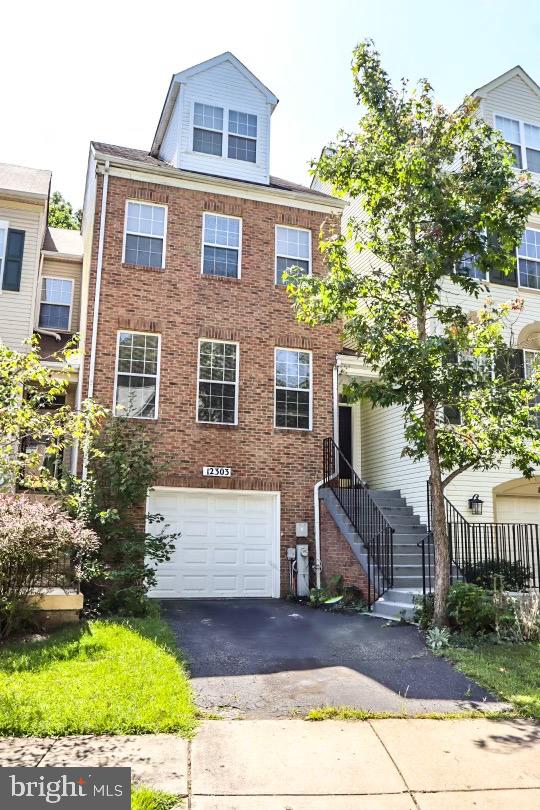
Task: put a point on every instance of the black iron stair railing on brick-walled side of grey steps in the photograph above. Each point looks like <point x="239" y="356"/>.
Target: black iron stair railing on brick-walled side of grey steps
<point x="369" y="522"/>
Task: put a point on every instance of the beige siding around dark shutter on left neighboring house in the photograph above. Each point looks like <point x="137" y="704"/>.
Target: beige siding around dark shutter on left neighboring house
<point x="17" y="308"/>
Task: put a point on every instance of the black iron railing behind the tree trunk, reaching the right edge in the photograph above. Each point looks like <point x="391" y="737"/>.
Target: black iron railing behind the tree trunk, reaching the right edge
<point x="504" y="553"/>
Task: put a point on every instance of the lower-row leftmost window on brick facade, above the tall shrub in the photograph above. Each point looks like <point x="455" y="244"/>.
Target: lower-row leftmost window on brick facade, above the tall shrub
<point x="137" y="375"/>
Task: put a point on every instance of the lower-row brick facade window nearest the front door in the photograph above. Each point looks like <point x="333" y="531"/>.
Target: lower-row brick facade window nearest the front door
<point x="293" y="389"/>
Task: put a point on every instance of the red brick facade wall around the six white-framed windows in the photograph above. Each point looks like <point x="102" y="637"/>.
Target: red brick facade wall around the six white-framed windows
<point x="182" y="306"/>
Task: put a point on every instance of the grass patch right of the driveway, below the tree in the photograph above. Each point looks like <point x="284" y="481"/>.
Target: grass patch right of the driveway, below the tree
<point x="510" y="670"/>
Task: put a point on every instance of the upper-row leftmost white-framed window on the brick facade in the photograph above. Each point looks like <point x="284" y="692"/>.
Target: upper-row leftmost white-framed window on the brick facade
<point x="144" y="237"/>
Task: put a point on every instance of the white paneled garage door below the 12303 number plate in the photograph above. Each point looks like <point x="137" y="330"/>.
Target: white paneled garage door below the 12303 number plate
<point x="228" y="546"/>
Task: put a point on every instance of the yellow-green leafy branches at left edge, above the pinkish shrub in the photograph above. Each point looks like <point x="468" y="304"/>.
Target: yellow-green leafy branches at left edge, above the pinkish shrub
<point x="29" y="415"/>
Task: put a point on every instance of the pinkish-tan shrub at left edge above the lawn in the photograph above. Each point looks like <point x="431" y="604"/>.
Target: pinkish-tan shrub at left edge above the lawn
<point x="33" y="535"/>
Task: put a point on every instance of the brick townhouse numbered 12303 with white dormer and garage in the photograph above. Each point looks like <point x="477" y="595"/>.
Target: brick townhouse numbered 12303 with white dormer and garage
<point x="190" y="330"/>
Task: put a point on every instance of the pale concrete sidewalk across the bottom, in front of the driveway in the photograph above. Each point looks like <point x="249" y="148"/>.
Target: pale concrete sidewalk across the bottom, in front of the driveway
<point x="296" y="765"/>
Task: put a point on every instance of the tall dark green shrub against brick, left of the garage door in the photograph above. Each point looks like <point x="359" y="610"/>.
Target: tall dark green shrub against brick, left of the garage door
<point x="117" y="578"/>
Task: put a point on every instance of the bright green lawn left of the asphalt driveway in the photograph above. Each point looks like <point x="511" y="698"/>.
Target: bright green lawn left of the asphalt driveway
<point x="110" y="677"/>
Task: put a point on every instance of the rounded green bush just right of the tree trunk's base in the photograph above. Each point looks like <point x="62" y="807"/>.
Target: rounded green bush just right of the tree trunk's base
<point x="471" y="609"/>
